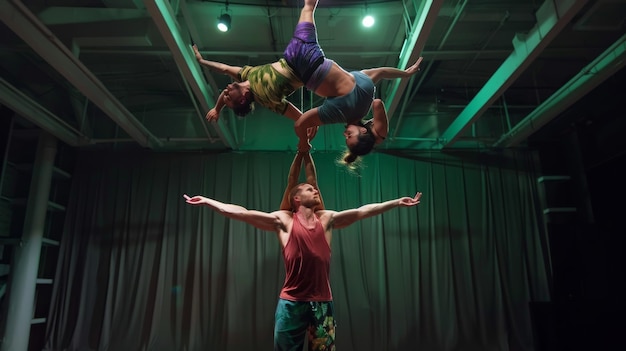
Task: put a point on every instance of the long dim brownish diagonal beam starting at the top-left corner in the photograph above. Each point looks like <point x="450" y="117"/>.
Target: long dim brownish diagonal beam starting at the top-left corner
<point x="26" y="25"/>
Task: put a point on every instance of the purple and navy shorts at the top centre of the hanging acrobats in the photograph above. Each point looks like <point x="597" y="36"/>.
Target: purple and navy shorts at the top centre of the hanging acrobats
<point x="305" y="56"/>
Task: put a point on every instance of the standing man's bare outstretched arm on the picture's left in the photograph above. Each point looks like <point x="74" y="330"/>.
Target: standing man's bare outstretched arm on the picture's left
<point x="261" y="220"/>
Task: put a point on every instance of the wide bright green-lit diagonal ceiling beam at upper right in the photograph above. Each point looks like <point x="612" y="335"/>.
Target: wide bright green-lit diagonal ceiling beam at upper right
<point x="552" y="17"/>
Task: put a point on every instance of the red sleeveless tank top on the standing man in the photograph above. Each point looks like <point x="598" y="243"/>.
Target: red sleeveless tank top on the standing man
<point x="307" y="264"/>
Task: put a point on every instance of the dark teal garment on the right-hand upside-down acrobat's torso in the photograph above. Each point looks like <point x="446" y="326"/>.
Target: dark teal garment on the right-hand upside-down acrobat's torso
<point x="352" y="107"/>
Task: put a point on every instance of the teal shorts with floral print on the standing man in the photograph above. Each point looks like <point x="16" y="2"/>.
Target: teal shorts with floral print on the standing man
<point x="294" y="318"/>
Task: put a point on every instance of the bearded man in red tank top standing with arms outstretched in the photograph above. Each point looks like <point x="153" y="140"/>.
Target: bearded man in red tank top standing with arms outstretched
<point x="304" y="229"/>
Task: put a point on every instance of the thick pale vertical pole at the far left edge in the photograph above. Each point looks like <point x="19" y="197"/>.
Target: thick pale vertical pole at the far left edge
<point x="25" y="265"/>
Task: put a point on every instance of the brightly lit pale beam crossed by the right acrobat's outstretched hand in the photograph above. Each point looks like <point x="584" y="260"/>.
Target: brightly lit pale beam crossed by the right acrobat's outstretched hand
<point x="413" y="46"/>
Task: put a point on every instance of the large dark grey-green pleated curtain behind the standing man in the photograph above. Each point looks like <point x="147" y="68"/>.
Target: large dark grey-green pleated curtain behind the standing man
<point x="139" y="269"/>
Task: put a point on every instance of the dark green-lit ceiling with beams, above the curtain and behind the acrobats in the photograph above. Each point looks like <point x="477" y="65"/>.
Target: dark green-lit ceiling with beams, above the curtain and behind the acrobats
<point x="117" y="73"/>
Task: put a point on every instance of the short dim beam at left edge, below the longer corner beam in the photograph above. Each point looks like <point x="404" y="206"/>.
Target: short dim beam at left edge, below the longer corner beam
<point x="26" y="107"/>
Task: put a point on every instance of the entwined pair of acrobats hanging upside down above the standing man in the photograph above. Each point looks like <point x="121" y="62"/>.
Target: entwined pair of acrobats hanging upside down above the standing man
<point x="349" y="95"/>
